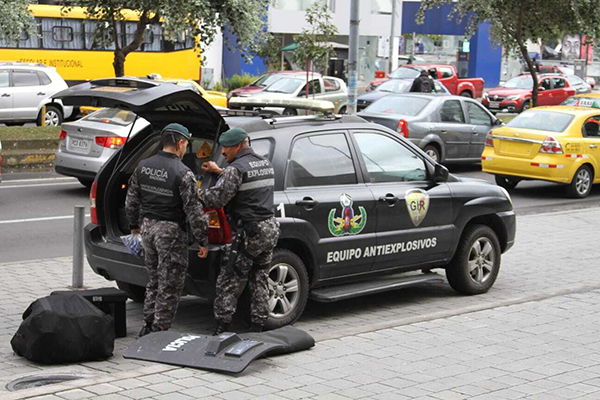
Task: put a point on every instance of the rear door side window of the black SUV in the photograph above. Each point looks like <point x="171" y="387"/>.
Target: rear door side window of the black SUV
<point x="319" y="160"/>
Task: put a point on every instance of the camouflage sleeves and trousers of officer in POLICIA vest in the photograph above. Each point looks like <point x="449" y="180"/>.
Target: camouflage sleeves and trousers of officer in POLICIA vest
<point x="166" y="249"/>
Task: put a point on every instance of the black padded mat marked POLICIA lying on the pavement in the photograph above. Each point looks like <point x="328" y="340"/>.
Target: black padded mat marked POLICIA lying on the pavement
<point x="229" y="352"/>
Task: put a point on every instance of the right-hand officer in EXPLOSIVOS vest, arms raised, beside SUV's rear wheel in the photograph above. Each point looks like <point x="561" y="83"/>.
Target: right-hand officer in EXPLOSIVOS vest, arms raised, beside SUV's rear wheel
<point x="245" y="189"/>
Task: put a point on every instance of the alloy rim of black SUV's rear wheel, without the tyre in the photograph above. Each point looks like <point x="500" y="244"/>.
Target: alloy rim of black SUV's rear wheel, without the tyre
<point x="284" y="290"/>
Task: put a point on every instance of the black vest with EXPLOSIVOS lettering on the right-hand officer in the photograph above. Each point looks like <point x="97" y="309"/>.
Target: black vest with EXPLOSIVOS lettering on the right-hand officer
<point x="254" y="199"/>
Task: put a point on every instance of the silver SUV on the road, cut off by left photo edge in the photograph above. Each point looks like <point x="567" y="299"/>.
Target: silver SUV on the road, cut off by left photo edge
<point x="25" y="89"/>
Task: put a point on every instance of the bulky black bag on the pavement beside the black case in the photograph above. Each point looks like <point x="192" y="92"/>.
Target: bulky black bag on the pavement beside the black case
<point x="64" y="329"/>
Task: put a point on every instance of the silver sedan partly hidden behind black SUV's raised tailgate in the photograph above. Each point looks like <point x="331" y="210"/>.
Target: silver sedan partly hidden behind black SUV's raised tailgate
<point x="86" y="144"/>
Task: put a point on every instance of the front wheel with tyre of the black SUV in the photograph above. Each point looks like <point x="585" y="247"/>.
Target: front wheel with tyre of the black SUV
<point x="476" y="264"/>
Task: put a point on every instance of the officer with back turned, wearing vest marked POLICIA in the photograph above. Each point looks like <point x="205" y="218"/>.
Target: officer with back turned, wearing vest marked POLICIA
<point x="162" y="195"/>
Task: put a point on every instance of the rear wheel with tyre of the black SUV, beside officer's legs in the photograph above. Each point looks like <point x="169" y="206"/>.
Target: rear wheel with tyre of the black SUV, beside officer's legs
<point x="288" y="290"/>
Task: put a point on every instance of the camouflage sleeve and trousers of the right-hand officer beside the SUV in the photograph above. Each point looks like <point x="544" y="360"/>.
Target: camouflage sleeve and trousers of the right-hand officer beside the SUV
<point x="258" y="239"/>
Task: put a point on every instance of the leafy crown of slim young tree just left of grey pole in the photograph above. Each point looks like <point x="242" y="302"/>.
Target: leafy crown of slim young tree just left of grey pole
<point x="314" y="41"/>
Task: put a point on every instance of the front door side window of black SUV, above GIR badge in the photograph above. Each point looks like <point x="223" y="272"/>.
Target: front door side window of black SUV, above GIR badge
<point x="387" y="160"/>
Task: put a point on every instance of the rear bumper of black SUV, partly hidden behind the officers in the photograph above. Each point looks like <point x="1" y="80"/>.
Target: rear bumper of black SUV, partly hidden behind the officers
<point x="114" y="262"/>
